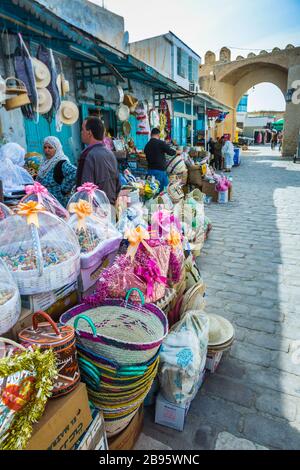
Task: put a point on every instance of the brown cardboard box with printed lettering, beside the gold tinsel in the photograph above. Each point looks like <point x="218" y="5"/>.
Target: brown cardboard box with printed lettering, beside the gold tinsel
<point x="64" y="421"/>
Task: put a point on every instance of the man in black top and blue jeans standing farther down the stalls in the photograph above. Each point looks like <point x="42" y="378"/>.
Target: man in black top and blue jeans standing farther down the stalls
<point x="156" y="151"/>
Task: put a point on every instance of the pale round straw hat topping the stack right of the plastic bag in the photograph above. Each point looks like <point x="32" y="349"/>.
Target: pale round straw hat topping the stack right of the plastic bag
<point x="221" y="332"/>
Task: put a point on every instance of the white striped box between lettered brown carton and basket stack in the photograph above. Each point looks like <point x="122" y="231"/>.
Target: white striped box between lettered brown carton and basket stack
<point x="95" y="436"/>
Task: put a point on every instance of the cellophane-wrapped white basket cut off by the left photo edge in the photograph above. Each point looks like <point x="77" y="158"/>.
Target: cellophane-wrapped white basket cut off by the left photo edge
<point x="10" y="301"/>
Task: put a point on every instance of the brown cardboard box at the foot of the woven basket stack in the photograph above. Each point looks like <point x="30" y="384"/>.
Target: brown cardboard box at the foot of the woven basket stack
<point x="126" y="440"/>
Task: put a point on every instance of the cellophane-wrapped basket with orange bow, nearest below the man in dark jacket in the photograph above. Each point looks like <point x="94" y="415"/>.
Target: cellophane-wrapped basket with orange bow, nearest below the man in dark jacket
<point x="94" y="234"/>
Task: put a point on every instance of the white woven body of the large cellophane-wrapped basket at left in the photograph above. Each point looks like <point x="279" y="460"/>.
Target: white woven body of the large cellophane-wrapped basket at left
<point x="52" y="277"/>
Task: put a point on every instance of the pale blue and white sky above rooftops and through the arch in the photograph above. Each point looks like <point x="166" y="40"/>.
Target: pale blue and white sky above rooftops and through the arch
<point x="211" y="24"/>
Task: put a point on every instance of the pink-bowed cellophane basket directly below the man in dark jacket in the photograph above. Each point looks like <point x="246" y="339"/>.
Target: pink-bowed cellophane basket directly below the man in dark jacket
<point x="98" y="200"/>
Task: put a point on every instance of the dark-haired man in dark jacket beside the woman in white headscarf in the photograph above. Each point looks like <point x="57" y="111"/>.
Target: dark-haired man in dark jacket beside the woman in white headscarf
<point x="97" y="164"/>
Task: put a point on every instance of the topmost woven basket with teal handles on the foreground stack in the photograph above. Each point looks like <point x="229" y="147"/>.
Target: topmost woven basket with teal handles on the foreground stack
<point x="123" y="332"/>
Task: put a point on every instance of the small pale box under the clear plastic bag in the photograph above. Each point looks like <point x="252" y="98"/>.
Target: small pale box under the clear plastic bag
<point x="170" y="414"/>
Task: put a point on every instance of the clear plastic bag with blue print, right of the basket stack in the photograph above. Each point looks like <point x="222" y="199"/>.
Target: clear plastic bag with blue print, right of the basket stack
<point x="182" y="357"/>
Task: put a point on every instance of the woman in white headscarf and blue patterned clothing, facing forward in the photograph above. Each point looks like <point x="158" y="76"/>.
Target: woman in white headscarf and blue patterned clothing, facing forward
<point x="57" y="174"/>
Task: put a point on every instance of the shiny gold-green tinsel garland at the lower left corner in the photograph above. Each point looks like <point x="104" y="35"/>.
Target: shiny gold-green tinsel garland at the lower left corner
<point x="43" y="365"/>
